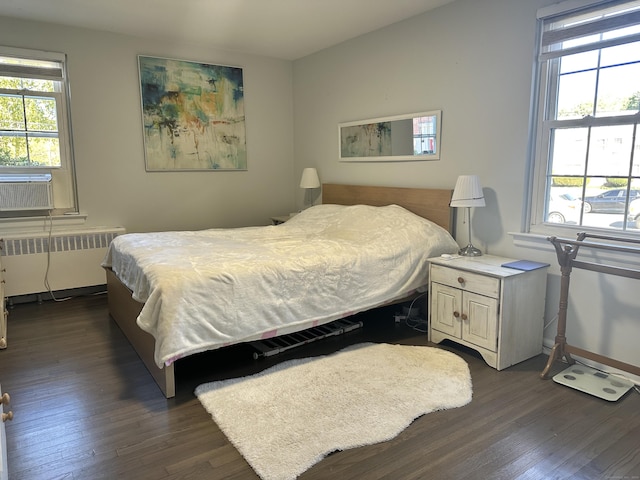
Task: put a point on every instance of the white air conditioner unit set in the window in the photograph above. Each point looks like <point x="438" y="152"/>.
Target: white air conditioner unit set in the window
<point x="16" y="194"/>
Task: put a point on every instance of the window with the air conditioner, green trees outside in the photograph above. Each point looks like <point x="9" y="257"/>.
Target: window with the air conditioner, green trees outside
<point x="34" y="123"/>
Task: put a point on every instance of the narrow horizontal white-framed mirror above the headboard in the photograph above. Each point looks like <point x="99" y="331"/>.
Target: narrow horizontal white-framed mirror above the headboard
<point x="410" y="137"/>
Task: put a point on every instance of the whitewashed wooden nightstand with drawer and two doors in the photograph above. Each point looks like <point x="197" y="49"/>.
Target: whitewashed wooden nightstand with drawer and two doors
<point x="497" y="311"/>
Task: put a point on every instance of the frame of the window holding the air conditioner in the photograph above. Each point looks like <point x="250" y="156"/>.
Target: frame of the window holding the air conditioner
<point x="63" y="177"/>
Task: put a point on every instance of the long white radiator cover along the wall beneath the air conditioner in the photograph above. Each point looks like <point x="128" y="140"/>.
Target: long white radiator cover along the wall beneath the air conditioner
<point x="74" y="260"/>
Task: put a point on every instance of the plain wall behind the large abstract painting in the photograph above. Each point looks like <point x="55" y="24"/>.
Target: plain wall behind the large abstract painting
<point x="113" y="187"/>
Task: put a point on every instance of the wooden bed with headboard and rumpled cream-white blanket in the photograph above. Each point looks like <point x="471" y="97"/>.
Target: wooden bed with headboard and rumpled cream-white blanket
<point x="175" y="294"/>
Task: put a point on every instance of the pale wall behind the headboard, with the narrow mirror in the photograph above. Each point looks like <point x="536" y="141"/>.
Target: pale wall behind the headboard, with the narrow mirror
<point x="473" y="59"/>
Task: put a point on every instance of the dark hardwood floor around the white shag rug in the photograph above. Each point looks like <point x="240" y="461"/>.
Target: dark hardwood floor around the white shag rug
<point x="86" y="408"/>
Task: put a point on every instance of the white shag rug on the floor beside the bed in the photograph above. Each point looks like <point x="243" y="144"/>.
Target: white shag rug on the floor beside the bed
<point x="289" y="417"/>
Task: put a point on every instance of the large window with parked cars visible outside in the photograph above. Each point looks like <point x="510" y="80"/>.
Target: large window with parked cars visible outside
<point x="587" y="141"/>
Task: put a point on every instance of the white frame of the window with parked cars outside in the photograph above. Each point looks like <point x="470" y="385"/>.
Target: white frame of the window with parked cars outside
<point x="544" y="101"/>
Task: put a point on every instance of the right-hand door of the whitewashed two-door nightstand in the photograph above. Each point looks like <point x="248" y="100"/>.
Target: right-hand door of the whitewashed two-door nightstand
<point x="481" y="322"/>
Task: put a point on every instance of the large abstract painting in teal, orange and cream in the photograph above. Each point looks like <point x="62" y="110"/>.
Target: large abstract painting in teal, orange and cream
<point x="193" y="115"/>
